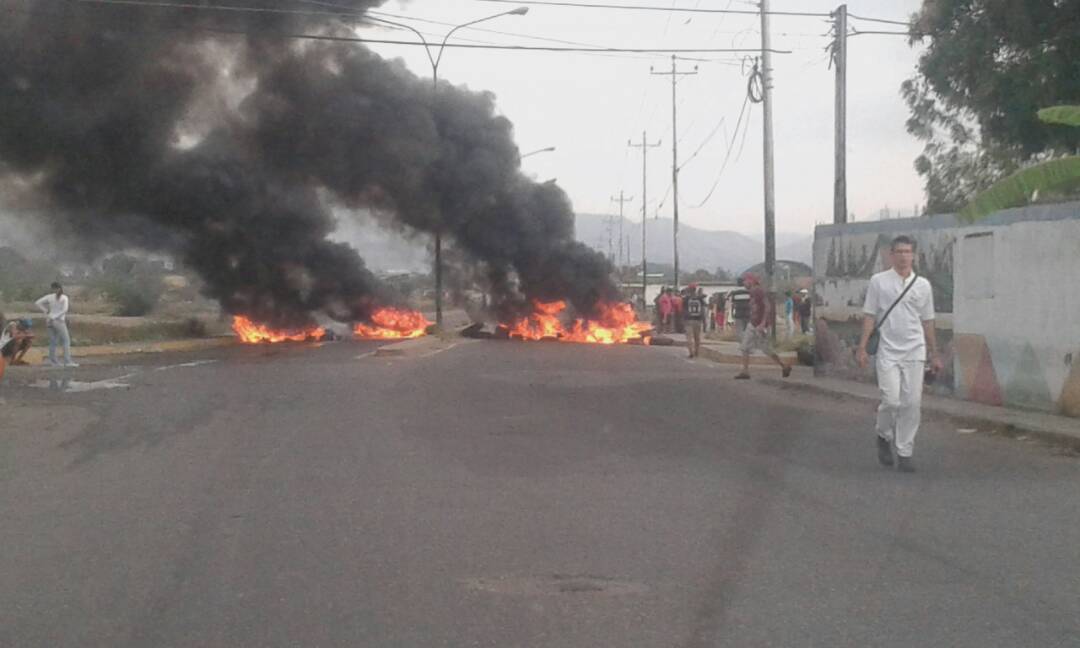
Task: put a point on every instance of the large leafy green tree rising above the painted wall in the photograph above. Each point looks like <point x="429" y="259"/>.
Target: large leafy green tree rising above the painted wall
<point x="990" y="65"/>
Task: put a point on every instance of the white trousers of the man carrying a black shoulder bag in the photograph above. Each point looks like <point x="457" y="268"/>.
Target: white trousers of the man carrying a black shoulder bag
<point x="901" y="409"/>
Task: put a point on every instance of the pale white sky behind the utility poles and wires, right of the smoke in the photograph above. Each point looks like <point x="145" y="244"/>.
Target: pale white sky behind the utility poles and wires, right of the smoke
<point x="588" y="105"/>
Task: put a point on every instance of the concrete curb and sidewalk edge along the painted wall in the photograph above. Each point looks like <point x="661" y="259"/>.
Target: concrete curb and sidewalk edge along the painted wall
<point x="996" y="421"/>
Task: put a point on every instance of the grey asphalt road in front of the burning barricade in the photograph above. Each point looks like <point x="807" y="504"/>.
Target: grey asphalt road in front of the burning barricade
<point x="510" y="495"/>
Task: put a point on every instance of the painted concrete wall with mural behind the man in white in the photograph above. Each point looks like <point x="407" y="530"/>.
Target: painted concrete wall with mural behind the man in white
<point x="1007" y="293"/>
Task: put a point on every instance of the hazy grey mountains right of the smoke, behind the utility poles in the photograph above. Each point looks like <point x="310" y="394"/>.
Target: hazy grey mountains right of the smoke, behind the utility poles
<point x="699" y="249"/>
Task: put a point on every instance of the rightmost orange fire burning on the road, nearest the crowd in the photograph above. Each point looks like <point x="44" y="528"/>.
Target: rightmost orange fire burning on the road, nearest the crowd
<point x="617" y="325"/>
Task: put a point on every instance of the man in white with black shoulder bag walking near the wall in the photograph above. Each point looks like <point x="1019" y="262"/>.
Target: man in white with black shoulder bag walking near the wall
<point x="907" y="335"/>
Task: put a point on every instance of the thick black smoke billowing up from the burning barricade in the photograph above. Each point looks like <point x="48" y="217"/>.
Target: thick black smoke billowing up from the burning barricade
<point x="165" y="128"/>
